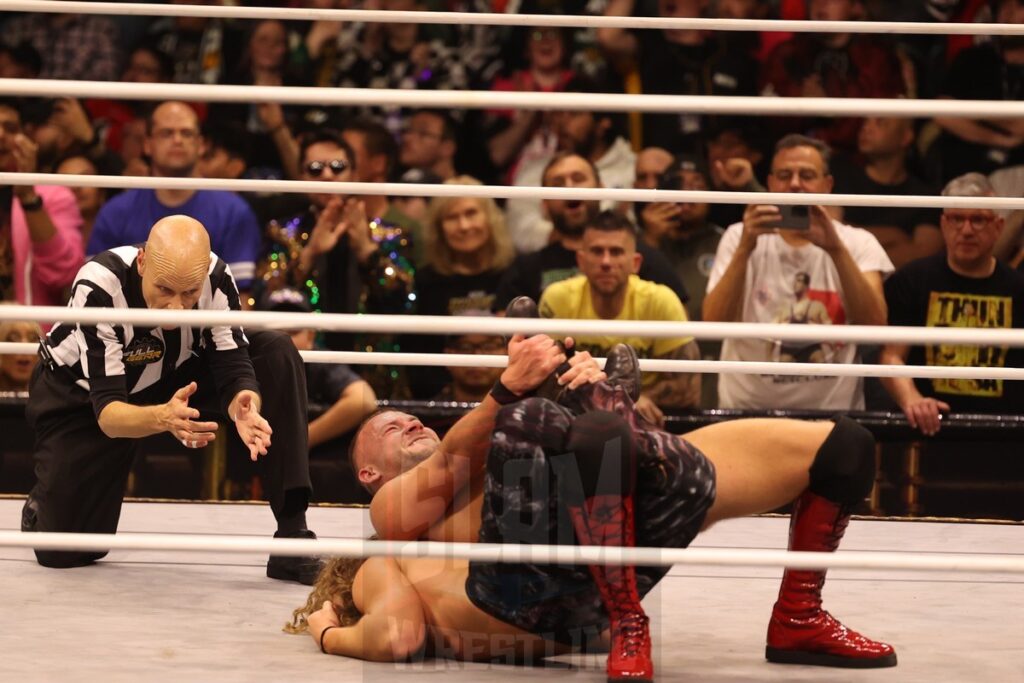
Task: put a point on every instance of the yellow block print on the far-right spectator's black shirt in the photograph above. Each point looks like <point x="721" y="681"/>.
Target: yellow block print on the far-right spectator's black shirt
<point x="953" y="310"/>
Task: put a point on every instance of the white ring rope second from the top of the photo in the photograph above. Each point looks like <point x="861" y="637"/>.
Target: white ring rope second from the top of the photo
<point x="487" y="100"/>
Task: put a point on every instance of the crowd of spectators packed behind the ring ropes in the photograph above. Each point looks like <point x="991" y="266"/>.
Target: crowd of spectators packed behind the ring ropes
<point x="583" y="260"/>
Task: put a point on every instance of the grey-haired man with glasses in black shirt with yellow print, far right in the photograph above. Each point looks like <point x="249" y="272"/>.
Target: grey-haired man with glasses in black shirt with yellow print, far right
<point x="963" y="287"/>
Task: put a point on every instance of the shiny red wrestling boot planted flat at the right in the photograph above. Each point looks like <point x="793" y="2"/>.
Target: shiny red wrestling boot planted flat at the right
<point x="800" y="631"/>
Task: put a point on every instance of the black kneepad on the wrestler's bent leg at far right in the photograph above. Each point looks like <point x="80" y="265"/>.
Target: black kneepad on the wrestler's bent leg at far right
<point x="843" y="471"/>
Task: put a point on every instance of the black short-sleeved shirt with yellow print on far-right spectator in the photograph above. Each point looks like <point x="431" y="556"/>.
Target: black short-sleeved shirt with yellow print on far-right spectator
<point x="928" y="293"/>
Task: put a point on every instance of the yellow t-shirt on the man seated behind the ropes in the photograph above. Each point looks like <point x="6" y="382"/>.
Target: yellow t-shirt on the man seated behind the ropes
<point x="645" y="302"/>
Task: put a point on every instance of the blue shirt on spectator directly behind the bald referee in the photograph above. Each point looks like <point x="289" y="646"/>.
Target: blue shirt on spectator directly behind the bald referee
<point x="235" y="233"/>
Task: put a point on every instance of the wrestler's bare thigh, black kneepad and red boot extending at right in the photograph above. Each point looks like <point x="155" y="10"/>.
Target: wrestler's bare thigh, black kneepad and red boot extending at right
<point x="828" y="467"/>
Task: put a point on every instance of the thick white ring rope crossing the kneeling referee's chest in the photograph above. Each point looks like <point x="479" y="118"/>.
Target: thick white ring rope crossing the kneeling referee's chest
<point x="492" y="326"/>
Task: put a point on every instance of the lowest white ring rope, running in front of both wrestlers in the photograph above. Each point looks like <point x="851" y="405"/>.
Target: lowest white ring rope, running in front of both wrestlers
<point x="513" y="553"/>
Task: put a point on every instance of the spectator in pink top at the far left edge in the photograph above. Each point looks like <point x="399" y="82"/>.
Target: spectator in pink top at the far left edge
<point x="40" y="243"/>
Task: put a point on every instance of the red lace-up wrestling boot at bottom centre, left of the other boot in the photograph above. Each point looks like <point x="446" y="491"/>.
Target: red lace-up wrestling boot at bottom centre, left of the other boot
<point x="608" y="521"/>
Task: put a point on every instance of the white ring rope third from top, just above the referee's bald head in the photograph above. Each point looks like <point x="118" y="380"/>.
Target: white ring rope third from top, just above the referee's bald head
<point x="509" y="192"/>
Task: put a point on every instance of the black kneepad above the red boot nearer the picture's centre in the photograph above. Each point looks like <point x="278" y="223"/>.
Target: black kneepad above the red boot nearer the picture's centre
<point x="602" y="445"/>
